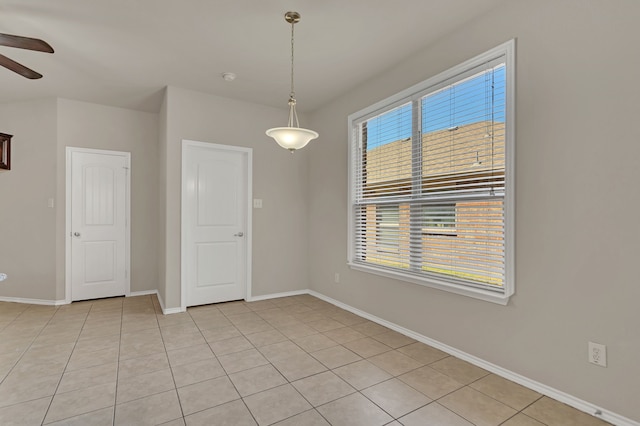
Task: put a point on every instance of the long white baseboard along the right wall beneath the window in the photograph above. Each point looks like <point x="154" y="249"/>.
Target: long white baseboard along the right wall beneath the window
<point x="558" y="395"/>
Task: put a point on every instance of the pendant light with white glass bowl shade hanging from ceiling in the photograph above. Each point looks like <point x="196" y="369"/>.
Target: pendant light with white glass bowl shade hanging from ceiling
<point x="293" y="136"/>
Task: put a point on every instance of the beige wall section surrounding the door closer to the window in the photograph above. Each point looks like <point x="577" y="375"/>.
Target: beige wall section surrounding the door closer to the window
<point x="279" y="178"/>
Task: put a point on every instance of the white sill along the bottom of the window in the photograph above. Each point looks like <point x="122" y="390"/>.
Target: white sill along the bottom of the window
<point x="451" y="287"/>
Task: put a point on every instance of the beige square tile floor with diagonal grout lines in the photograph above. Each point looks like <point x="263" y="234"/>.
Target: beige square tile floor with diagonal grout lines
<point x="289" y="361"/>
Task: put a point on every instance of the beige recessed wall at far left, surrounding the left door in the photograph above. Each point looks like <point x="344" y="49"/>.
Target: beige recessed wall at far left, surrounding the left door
<point x="32" y="235"/>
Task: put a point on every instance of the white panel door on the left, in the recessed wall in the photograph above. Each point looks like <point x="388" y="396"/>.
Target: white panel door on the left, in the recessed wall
<point x="98" y="188"/>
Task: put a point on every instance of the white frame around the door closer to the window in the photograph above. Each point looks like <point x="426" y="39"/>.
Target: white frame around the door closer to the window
<point x="248" y="159"/>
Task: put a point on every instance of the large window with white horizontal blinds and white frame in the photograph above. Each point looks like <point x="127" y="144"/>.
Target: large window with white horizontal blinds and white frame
<point x="431" y="181"/>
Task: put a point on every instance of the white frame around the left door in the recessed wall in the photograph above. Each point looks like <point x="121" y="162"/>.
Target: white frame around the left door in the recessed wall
<point x="68" y="224"/>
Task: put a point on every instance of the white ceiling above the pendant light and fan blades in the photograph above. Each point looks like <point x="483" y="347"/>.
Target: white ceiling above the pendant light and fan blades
<point x="123" y="52"/>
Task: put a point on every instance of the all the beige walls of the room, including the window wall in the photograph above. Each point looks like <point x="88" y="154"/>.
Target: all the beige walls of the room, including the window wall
<point x="578" y="164"/>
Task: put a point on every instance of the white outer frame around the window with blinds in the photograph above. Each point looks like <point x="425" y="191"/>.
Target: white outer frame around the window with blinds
<point x="500" y="296"/>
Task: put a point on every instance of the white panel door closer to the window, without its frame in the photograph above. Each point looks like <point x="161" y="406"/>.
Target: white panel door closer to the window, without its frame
<point x="215" y="222"/>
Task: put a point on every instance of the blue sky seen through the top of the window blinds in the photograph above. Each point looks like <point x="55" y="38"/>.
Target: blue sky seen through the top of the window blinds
<point x="457" y="105"/>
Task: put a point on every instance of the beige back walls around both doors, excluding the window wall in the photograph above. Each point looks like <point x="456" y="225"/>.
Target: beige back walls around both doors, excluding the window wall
<point x="33" y="253"/>
